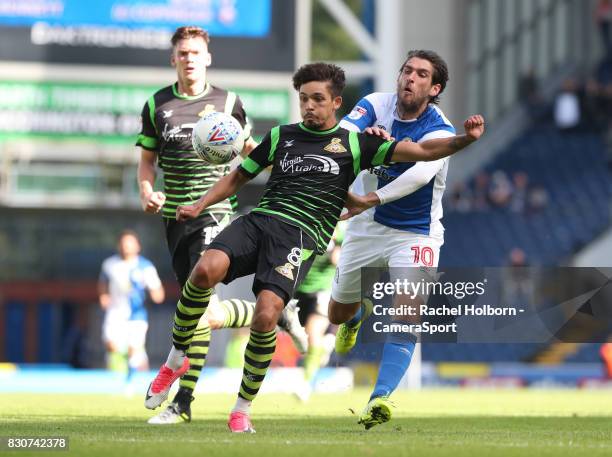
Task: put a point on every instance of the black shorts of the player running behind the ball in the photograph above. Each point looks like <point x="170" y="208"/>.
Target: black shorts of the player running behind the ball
<point x="187" y="240"/>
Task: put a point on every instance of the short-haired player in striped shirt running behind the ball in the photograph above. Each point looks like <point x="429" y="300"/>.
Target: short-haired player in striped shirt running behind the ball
<point x="167" y="121"/>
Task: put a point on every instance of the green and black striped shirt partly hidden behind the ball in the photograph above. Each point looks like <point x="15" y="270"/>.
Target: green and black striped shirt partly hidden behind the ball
<point x="168" y="119"/>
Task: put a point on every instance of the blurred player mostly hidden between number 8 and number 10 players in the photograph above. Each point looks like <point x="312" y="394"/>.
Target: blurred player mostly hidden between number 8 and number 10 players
<point x="312" y="299"/>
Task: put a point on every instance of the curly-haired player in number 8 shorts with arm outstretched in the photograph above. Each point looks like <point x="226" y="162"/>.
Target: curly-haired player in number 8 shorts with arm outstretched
<point x="313" y="164"/>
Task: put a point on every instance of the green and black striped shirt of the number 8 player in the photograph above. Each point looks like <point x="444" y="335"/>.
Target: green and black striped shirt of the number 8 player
<point x="311" y="174"/>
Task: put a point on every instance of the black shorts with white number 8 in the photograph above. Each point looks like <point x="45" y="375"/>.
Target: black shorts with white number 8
<point x="279" y="253"/>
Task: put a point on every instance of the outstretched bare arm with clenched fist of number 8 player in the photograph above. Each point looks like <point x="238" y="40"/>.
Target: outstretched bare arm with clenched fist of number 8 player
<point x="441" y="147"/>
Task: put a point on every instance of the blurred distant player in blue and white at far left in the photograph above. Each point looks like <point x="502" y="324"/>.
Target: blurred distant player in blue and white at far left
<point x="125" y="280"/>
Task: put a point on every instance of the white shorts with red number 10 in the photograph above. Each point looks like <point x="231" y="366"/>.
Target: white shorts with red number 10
<point x="370" y="244"/>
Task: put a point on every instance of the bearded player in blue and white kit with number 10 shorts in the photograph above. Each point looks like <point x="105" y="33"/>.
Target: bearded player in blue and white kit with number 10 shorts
<point x="404" y="230"/>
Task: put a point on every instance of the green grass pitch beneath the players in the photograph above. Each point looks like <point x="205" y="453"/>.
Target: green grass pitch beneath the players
<point x="427" y="423"/>
